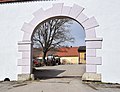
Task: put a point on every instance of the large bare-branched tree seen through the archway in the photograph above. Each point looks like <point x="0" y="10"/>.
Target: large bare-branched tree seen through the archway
<point x="52" y="34"/>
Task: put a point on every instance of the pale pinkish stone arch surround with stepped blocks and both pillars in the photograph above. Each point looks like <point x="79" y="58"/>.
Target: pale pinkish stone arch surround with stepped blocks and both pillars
<point x="92" y="42"/>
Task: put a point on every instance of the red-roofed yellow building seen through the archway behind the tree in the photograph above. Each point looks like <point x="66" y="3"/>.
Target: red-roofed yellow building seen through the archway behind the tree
<point x="70" y="55"/>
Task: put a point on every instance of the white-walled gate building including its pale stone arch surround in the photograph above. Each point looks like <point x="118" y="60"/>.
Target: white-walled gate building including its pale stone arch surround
<point x="100" y="20"/>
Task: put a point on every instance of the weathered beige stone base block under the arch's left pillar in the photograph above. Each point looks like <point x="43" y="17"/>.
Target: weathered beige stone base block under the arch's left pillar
<point x="23" y="77"/>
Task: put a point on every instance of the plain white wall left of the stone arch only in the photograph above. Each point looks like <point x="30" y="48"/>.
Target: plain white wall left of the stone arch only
<point x="12" y="18"/>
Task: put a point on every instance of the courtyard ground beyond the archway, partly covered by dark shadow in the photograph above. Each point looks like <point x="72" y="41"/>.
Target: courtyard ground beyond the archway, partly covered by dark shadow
<point x="60" y="71"/>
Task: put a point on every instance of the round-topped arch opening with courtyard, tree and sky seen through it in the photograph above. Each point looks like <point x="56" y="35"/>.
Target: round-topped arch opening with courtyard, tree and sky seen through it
<point x="64" y="54"/>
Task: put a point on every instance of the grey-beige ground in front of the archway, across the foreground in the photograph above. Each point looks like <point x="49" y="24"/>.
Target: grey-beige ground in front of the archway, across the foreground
<point x="58" y="85"/>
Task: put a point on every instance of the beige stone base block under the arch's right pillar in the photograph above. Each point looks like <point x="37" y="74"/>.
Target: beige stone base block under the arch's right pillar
<point x="91" y="77"/>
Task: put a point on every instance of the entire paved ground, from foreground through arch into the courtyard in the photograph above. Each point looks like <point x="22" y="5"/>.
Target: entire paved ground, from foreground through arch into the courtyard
<point x="63" y="80"/>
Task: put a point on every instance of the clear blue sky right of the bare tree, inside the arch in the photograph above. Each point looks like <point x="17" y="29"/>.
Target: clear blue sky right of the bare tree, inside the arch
<point x="78" y="33"/>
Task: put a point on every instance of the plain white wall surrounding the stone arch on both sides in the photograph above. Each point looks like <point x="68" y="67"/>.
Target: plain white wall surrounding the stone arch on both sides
<point x="13" y="16"/>
